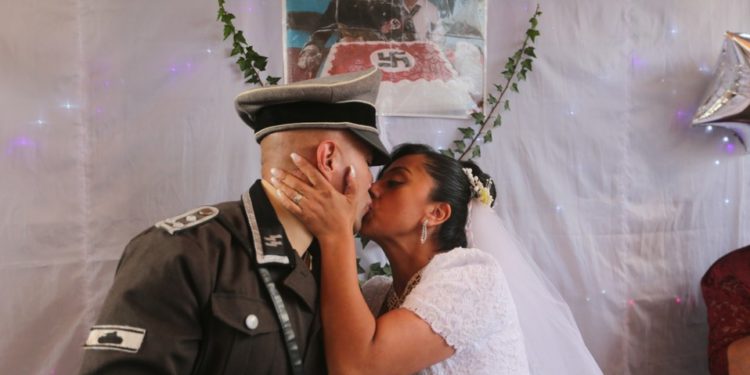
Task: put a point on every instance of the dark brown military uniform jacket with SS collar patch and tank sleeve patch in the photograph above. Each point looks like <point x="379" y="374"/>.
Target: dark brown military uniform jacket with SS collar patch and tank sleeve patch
<point x="191" y="302"/>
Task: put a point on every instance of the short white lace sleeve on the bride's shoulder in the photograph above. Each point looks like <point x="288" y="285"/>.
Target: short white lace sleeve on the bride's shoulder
<point x="461" y="295"/>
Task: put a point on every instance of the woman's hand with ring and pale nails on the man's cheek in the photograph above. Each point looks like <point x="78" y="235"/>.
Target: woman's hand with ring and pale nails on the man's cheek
<point x="324" y="211"/>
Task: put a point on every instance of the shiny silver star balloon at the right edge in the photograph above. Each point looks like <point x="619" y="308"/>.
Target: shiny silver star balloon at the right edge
<point x="727" y="101"/>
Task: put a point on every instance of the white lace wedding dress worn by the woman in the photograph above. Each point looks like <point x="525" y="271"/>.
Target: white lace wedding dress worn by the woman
<point x="464" y="297"/>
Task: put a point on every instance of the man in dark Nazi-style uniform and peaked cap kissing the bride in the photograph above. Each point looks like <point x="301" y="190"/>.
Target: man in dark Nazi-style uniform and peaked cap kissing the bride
<point x="233" y="288"/>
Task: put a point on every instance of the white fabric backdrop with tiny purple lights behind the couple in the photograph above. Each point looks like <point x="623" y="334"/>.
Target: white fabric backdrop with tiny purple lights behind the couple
<point x="119" y="113"/>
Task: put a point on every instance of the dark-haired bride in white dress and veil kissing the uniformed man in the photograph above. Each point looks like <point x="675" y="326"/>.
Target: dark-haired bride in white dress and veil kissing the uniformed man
<point x="449" y="308"/>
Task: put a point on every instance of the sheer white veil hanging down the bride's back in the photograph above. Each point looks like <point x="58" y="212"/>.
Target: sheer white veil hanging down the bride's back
<point x="553" y="342"/>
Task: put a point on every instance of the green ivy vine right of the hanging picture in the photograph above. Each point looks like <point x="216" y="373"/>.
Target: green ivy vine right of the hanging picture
<point x="516" y="69"/>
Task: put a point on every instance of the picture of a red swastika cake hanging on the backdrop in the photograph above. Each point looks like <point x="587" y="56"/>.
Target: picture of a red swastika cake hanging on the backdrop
<point x="431" y="52"/>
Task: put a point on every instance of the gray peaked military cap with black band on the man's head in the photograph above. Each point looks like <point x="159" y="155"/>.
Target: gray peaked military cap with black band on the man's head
<point x="344" y="101"/>
